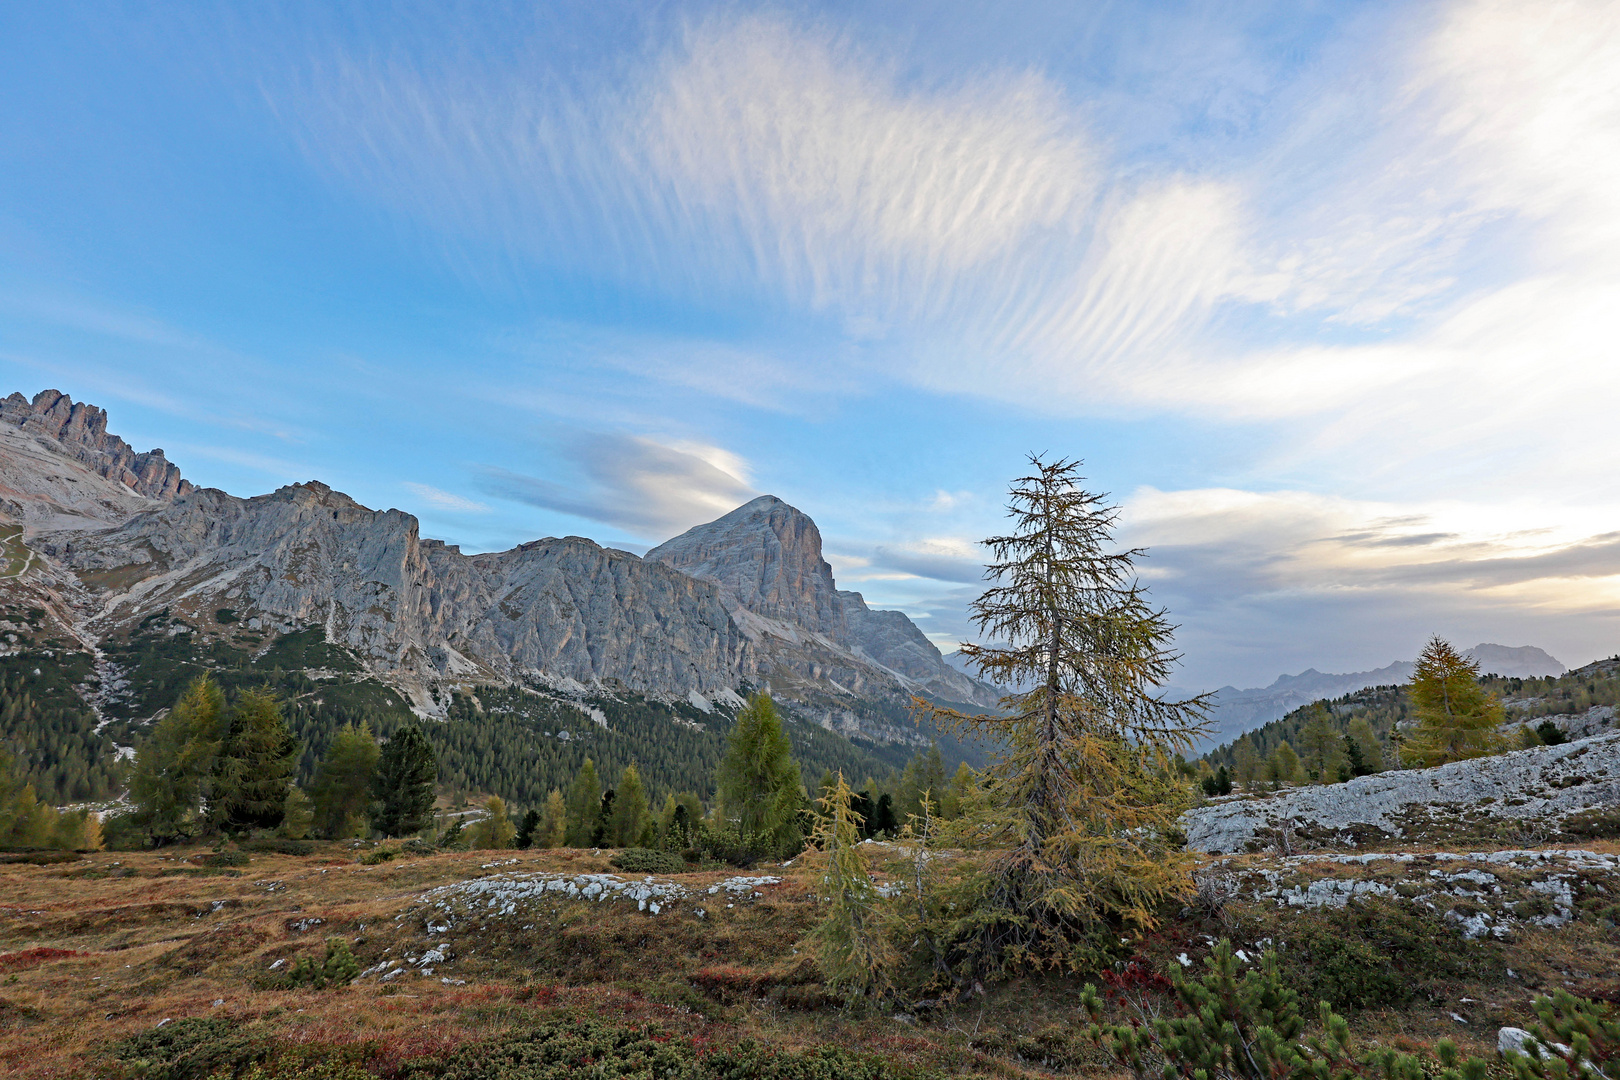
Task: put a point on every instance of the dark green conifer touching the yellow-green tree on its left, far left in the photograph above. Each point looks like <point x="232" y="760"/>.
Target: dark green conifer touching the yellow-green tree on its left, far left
<point x="255" y="765"/>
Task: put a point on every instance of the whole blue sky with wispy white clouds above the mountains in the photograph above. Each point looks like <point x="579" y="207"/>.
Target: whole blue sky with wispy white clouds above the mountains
<point x="1324" y="296"/>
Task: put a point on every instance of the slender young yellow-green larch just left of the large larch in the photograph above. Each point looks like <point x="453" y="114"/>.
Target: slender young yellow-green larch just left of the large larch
<point x="851" y="945"/>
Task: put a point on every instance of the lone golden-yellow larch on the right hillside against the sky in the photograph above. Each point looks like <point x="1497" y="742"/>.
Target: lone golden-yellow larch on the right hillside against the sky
<point x="1457" y="718"/>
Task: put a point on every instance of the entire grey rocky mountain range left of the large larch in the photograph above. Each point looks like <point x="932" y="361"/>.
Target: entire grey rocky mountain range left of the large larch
<point x="744" y="602"/>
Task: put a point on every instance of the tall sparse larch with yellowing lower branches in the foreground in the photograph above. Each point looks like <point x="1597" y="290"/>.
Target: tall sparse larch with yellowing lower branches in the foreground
<point x="1085" y="794"/>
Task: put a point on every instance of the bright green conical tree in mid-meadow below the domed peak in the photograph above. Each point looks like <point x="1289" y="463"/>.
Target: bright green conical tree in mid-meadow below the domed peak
<point x="759" y="781"/>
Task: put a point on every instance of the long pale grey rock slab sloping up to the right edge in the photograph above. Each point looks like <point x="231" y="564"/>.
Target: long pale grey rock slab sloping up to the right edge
<point x="1540" y="784"/>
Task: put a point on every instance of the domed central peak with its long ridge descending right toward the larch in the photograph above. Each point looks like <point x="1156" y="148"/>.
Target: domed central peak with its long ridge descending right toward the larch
<point x="767" y="558"/>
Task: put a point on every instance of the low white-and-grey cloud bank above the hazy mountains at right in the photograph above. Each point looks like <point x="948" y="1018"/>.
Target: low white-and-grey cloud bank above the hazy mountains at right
<point x="1276" y="582"/>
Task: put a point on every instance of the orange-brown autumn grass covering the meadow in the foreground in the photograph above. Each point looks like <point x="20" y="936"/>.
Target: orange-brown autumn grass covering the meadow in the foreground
<point x="101" y="951"/>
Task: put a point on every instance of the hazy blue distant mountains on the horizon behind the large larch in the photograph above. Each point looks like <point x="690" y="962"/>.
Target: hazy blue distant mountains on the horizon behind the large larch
<point x="1238" y="712"/>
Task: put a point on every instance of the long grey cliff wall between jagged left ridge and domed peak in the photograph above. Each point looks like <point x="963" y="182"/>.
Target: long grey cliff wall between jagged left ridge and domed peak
<point x="417" y="613"/>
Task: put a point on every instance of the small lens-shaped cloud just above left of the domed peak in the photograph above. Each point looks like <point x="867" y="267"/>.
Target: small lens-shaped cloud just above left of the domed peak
<point x="650" y="488"/>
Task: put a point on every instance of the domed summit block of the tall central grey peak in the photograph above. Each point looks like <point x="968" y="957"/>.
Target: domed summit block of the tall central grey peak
<point x="769" y="556"/>
